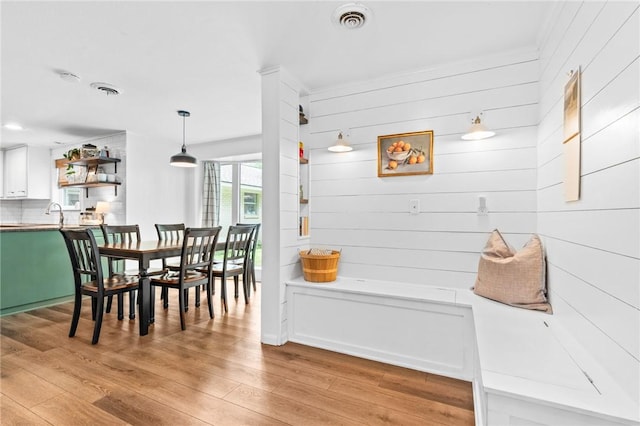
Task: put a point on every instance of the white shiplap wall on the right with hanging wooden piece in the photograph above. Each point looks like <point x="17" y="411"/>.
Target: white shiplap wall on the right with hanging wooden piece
<point x="593" y="245"/>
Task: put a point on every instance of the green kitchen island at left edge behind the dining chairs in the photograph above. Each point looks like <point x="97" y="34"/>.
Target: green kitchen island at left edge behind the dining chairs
<point x="35" y="269"/>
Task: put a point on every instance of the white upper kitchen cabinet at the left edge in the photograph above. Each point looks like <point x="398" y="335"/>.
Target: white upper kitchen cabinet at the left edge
<point x="26" y="173"/>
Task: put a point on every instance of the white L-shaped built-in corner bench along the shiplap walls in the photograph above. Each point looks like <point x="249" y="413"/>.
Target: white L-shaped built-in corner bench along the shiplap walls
<point x="525" y="368"/>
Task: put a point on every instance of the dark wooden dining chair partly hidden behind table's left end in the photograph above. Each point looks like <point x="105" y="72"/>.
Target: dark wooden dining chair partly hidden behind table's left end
<point x="126" y="234"/>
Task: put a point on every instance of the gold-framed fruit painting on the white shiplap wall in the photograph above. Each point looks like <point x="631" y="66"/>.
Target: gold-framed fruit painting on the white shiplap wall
<point x="405" y="154"/>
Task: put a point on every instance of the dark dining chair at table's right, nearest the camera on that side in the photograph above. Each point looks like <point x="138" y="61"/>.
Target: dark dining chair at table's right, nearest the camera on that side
<point x="195" y="269"/>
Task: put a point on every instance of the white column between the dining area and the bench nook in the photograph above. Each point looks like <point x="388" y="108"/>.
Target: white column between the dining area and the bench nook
<point x="280" y="96"/>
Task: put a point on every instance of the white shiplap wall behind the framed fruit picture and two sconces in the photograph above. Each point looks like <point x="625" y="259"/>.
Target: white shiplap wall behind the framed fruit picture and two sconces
<point x="368" y="217"/>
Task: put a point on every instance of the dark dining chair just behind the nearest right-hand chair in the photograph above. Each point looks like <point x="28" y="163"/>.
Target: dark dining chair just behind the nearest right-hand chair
<point x="234" y="262"/>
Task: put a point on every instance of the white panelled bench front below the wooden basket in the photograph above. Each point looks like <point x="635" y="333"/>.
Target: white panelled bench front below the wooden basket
<point x="375" y="327"/>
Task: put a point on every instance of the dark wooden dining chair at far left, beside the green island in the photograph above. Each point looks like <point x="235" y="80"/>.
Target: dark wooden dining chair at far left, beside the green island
<point x="89" y="279"/>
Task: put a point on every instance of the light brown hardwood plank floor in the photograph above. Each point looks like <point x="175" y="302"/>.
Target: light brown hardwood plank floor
<point x="216" y="372"/>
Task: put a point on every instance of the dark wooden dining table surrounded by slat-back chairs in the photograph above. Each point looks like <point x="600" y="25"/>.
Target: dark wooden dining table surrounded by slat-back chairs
<point x="144" y="252"/>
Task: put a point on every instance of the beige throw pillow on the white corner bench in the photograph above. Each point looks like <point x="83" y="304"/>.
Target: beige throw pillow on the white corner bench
<point x="514" y="278"/>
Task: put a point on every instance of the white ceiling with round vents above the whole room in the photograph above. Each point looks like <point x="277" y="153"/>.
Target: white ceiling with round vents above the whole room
<point x="204" y="57"/>
